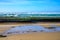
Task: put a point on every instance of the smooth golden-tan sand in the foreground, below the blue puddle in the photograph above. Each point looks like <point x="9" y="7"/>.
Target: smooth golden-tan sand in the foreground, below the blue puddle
<point x="34" y="36"/>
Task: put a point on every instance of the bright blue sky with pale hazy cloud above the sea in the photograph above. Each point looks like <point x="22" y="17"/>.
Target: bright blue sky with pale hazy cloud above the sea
<point x="29" y="5"/>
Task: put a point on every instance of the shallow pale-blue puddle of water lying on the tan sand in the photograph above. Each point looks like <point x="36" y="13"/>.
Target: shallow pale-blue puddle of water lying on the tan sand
<point x="28" y="29"/>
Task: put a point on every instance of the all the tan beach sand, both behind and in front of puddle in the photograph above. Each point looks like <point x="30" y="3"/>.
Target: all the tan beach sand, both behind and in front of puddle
<point x="30" y="36"/>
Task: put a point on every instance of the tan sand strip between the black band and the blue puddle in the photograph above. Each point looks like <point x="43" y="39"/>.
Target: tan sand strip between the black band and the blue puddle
<point x="8" y="25"/>
